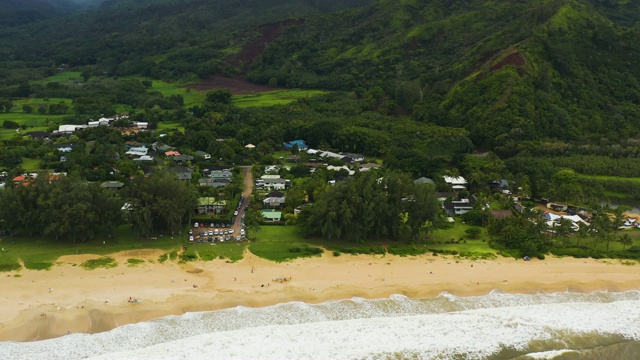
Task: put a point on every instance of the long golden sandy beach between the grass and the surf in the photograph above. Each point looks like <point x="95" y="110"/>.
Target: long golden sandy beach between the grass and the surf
<point x="45" y="304"/>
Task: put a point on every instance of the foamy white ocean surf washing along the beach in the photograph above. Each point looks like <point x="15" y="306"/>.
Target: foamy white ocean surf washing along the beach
<point x="598" y="325"/>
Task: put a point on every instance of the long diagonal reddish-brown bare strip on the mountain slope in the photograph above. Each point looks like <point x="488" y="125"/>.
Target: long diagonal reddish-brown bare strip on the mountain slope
<point x="250" y="51"/>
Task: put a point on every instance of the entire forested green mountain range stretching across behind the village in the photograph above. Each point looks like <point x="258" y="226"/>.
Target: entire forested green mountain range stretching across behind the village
<point x="510" y="72"/>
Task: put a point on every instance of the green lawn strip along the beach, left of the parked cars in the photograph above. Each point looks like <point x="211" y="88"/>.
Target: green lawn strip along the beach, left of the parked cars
<point x="41" y="254"/>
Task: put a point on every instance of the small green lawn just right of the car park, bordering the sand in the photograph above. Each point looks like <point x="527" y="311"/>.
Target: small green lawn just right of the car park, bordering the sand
<point x="280" y="243"/>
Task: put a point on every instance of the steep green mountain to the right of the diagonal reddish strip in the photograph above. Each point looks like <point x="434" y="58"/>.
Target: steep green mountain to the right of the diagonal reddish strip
<point x="507" y="71"/>
